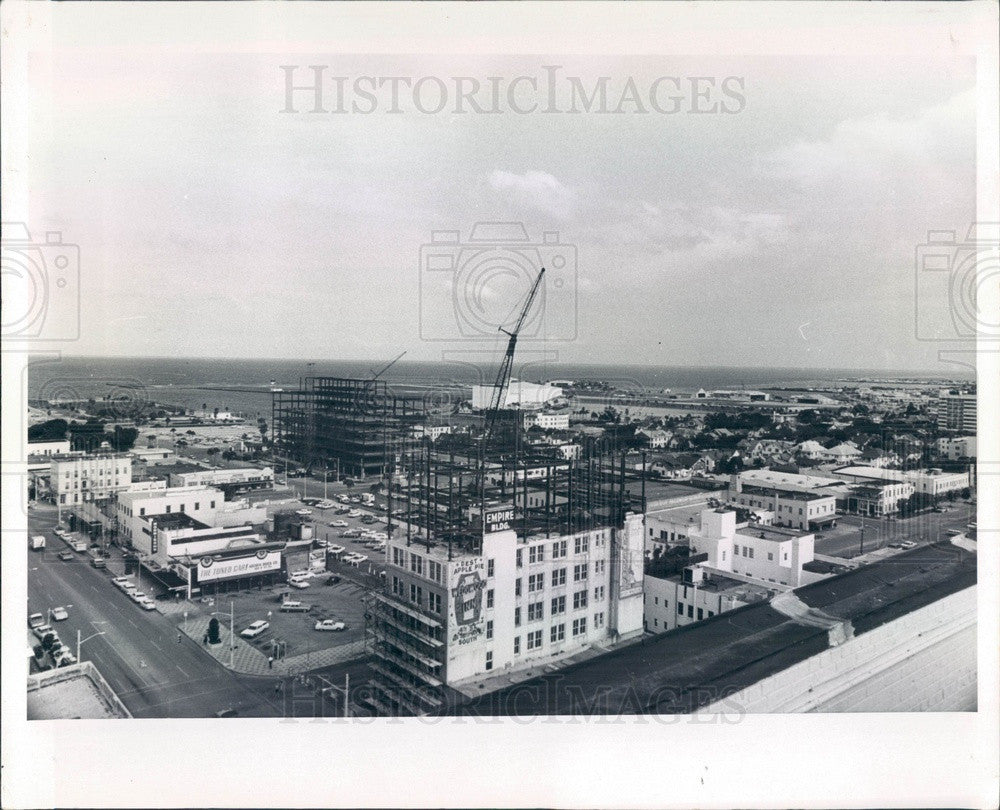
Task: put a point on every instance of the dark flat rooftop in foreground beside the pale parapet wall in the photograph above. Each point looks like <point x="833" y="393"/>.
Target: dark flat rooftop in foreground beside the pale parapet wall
<point x="701" y="663"/>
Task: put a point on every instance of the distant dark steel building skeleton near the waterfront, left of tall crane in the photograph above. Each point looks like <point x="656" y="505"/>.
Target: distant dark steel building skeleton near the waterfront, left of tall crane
<point x="353" y="427"/>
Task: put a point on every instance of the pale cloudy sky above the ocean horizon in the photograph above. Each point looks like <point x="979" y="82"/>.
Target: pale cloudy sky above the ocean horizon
<point x="778" y="228"/>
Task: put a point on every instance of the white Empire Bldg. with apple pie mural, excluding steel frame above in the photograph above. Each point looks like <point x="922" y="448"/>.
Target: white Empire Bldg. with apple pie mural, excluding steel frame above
<point x="522" y="602"/>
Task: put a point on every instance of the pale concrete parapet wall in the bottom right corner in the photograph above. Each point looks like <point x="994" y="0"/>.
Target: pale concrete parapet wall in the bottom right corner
<point x="923" y="661"/>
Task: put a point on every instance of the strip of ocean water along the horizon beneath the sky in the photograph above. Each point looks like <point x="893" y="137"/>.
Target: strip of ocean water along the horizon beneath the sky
<point x="244" y="385"/>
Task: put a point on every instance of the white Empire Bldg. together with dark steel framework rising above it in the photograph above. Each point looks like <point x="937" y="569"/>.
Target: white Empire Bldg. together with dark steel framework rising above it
<point x="498" y="565"/>
